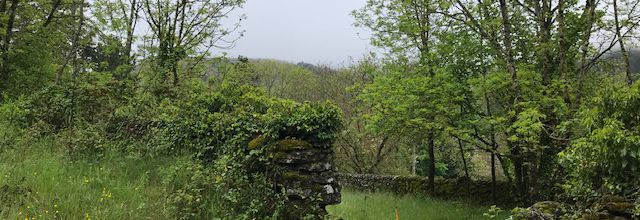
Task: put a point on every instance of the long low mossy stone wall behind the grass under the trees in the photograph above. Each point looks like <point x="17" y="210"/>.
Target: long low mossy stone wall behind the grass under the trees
<point x="478" y="191"/>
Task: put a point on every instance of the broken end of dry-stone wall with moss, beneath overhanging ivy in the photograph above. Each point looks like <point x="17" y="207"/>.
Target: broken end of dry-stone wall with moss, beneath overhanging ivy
<point x="305" y="170"/>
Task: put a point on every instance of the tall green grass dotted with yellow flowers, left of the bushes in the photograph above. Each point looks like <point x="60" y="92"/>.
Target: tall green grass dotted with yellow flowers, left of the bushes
<point x="41" y="182"/>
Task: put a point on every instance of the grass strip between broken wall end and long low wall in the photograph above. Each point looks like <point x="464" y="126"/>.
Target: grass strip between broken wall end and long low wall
<point x="357" y="205"/>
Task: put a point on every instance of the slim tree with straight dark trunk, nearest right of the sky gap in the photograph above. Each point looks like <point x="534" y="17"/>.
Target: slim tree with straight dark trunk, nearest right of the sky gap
<point x="407" y="29"/>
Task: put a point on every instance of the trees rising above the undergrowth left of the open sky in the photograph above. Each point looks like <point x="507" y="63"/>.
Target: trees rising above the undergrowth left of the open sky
<point x="60" y="40"/>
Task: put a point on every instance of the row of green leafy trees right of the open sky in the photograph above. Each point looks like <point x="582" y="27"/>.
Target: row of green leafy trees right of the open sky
<point x="521" y="80"/>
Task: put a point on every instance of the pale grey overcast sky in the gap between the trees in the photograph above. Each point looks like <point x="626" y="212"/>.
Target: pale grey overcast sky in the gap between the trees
<point x="313" y="31"/>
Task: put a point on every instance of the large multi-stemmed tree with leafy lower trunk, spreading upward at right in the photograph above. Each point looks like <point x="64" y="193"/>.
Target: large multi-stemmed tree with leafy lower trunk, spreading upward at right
<point x="559" y="30"/>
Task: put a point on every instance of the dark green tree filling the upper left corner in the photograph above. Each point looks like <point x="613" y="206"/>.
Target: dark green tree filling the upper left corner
<point x="36" y="41"/>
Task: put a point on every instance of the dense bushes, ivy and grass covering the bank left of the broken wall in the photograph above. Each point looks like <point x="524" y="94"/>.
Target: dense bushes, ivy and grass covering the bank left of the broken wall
<point x="98" y="149"/>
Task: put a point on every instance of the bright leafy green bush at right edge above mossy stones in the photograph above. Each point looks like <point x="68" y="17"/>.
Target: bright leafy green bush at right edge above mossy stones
<point x="606" y="154"/>
